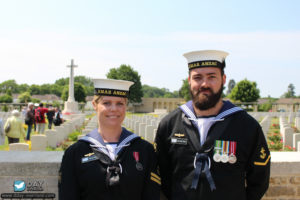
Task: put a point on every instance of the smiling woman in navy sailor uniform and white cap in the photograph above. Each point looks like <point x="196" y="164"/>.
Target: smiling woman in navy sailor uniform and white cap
<point x="110" y="162"/>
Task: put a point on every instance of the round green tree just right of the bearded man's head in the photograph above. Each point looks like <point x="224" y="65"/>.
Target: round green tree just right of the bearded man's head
<point x="245" y="91"/>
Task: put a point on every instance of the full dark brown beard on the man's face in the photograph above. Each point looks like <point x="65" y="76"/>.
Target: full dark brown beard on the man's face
<point x="206" y="101"/>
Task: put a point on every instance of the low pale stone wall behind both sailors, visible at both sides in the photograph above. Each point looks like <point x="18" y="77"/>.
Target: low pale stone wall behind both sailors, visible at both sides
<point x="39" y="170"/>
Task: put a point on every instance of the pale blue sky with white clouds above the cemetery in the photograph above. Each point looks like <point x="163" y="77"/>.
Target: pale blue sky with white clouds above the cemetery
<point x="39" y="38"/>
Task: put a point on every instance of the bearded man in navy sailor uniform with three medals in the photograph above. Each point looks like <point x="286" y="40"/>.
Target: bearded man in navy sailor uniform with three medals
<point x="209" y="148"/>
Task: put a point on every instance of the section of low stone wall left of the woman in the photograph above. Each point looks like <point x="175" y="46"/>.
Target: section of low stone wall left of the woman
<point x="38" y="170"/>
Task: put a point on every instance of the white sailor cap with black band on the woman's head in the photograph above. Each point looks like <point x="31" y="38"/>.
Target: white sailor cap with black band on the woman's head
<point x="112" y="87"/>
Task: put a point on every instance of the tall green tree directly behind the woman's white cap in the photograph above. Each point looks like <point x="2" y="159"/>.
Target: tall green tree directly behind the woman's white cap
<point x="125" y="72"/>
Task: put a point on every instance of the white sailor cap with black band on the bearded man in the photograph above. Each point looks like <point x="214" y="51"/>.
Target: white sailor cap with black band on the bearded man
<point x="206" y="58"/>
